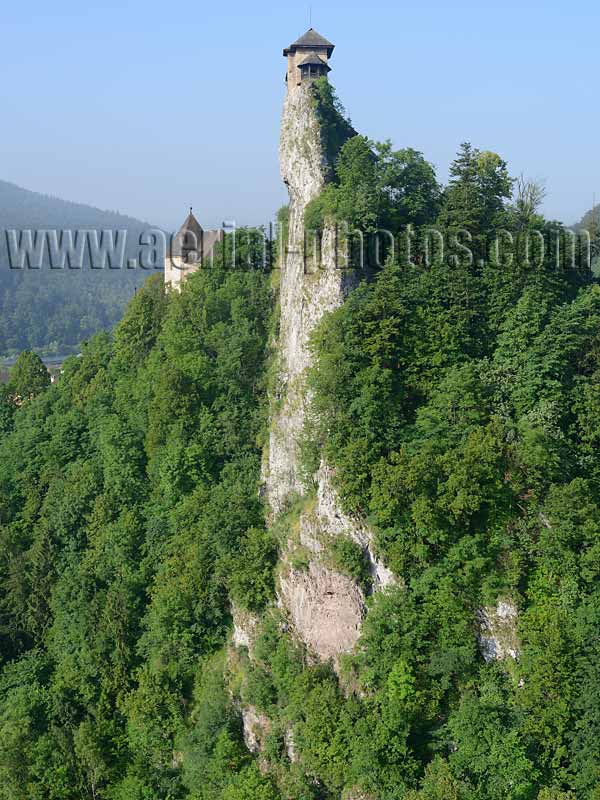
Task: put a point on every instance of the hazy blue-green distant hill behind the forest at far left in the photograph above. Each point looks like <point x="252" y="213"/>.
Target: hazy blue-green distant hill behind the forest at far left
<point x="54" y="309"/>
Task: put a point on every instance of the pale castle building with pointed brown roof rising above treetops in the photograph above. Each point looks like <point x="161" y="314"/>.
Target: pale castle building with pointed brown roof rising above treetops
<point x="191" y="247"/>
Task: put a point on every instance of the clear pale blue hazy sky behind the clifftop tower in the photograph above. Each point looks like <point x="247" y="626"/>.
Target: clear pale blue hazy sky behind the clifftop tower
<point x="147" y="107"/>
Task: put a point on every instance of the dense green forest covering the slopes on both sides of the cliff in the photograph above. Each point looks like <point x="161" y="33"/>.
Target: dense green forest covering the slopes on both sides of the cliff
<point x="458" y="402"/>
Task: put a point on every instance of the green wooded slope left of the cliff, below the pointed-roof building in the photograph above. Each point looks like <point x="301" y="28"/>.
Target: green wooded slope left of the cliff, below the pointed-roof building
<point x="129" y="511"/>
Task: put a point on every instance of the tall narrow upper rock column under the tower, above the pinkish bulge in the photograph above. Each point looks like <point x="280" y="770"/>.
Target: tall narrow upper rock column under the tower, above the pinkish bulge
<point x="308" y="289"/>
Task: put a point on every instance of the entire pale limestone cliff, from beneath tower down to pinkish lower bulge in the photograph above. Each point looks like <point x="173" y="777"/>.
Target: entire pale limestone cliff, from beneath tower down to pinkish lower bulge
<point x="325" y="608"/>
